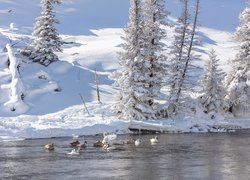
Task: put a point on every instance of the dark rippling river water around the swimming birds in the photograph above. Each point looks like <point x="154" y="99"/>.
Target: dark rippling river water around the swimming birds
<point x="176" y="156"/>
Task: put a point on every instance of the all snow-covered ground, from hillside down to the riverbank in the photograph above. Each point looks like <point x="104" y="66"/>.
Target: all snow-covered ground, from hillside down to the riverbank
<point x="92" y="28"/>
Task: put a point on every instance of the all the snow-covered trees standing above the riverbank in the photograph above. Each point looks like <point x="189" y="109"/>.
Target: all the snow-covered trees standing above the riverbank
<point x="146" y="69"/>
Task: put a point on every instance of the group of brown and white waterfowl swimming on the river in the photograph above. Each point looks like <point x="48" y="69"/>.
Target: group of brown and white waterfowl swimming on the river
<point x="108" y="143"/>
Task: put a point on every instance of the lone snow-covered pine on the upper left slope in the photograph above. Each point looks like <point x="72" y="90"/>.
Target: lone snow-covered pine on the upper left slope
<point x="46" y="40"/>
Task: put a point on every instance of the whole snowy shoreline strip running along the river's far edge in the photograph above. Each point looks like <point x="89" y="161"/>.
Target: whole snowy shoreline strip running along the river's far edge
<point x="74" y="121"/>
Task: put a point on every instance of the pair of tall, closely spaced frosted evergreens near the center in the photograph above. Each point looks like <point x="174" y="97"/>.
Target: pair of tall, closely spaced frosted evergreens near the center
<point x="139" y="78"/>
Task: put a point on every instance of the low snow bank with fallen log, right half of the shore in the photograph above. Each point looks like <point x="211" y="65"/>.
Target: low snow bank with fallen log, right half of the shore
<point x="189" y="125"/>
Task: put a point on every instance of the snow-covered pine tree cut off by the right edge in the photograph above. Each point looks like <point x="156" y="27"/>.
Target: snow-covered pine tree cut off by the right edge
<point x="238" y="81"/>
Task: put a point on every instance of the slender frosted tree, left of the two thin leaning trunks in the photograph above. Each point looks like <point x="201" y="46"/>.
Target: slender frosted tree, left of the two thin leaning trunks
<point x="179" y="54"/>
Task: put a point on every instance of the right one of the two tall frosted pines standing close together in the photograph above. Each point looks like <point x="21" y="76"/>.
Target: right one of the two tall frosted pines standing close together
<point x="154" y="67"/>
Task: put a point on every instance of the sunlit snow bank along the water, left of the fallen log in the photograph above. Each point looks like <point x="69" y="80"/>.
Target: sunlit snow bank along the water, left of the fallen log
<point x="73" y="121"/>
